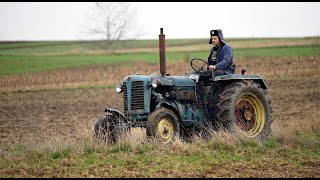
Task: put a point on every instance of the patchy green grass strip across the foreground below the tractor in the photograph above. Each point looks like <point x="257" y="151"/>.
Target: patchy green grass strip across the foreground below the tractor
<point x="84" y="158"/>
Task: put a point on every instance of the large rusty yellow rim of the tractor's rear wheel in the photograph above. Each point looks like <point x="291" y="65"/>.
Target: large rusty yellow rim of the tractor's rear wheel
<point x="250" y="115"/>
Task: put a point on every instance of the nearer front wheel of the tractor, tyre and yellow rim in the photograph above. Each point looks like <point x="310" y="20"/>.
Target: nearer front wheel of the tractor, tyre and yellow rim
<point x="163" y="125"/>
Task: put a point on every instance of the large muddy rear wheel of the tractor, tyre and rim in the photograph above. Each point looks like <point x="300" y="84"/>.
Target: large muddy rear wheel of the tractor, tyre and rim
<point x="244" y="110"/>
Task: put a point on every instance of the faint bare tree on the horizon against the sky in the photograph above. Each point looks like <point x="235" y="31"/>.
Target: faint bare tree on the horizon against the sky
<point x="112" y="22"/>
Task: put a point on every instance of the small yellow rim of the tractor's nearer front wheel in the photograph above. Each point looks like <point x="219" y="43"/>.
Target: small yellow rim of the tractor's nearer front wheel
<point x="165" y="130"/>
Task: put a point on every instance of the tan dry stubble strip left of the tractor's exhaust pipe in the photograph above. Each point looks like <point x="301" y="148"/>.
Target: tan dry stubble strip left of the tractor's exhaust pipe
<point x="93" y="75"/>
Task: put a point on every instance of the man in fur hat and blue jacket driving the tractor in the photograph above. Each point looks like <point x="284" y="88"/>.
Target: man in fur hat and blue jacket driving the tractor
<point x="221" y="58"/>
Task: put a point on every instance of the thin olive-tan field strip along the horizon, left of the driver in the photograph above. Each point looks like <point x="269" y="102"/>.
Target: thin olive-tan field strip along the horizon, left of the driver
<point x="40" y="47"/>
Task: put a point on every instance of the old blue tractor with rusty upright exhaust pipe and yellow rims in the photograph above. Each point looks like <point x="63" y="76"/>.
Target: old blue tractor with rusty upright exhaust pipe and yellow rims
<point x="180" y="106"/>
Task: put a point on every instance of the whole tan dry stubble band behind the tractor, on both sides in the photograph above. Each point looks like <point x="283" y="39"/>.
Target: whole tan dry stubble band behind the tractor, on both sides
<point x="102" y="75"/>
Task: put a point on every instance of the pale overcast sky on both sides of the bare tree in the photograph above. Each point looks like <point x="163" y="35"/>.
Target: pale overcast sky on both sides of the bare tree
<point x="66" y="20"/>
